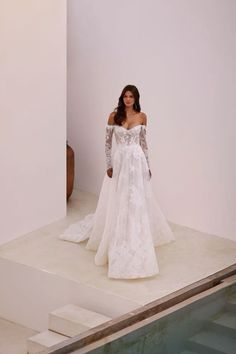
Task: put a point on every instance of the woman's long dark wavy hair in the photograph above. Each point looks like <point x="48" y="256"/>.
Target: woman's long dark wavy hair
<point x="120" y="114"/>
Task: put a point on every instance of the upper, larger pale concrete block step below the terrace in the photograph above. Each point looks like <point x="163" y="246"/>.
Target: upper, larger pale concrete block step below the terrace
<point x="70" y="320"/>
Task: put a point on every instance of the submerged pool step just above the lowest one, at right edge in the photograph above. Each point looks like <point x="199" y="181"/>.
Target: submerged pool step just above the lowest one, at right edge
<point x="225" y="324"/>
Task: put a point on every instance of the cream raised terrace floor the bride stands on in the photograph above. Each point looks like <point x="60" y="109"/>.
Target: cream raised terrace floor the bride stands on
<point x="193" y="256"/>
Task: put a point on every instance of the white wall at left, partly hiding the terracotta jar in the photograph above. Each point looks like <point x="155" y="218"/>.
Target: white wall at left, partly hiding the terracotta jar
<point x="32" y="114"/>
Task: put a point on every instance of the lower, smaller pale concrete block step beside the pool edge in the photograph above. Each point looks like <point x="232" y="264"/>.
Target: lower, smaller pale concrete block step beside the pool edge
<point x="43" y="341"/>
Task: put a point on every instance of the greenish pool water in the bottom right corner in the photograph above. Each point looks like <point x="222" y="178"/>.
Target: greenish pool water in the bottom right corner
<point x="207" y="326"/>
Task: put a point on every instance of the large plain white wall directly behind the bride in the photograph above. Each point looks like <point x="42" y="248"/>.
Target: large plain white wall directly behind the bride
<point x="181" y="55"/>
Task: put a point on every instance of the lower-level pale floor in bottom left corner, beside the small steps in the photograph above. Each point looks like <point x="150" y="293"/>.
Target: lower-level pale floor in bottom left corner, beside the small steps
<point x="13" y="337"/>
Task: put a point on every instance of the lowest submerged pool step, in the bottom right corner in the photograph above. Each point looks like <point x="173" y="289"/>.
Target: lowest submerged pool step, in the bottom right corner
<point x="211" y="343"/>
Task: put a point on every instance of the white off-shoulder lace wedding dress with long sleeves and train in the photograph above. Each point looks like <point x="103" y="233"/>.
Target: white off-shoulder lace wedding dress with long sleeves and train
<point x="128" y="223"/>
